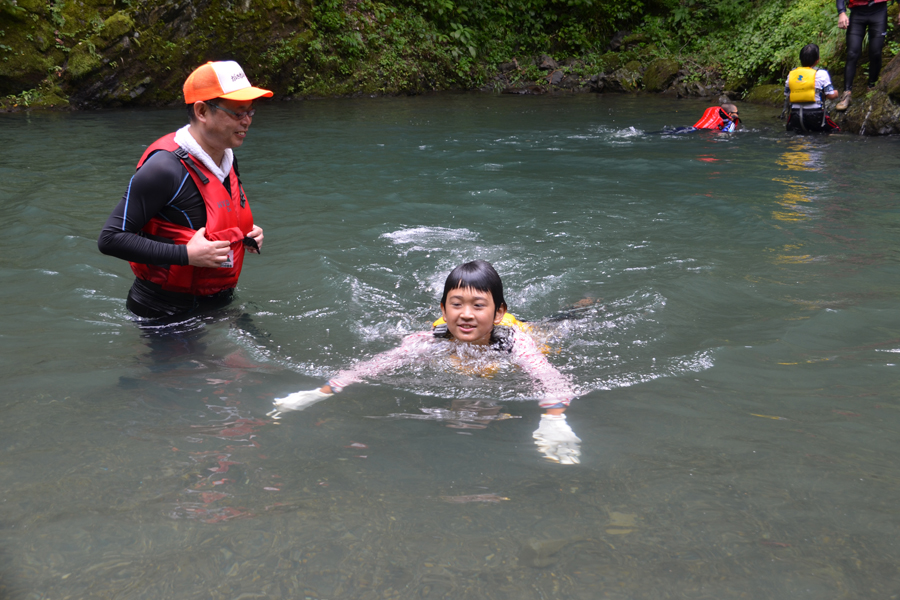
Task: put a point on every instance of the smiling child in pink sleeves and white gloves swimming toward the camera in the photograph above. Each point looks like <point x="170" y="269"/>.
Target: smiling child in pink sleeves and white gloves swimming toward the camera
<point x="474" y="321"/>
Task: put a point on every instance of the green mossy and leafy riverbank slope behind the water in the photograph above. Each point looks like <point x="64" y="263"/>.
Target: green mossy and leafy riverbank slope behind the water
<point x="114" y="52"/>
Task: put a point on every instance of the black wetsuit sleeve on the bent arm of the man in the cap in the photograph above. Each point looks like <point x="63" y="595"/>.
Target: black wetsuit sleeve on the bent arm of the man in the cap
<point x="161" y="187"/>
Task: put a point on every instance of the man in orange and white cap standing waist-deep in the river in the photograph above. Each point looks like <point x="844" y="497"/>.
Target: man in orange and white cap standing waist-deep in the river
<point x="184" y="221"/>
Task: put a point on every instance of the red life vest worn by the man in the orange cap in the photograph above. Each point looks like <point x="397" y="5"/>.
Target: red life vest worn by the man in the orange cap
<point x="228" y="218"/>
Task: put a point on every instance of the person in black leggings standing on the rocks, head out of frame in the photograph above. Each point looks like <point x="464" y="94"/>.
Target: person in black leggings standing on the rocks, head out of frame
<point x="864" y="14"/>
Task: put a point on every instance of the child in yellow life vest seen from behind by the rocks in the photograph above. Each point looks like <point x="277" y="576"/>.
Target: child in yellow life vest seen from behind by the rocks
<point x="806" y="90"/>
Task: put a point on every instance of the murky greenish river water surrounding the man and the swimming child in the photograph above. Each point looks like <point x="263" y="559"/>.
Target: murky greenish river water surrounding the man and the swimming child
<point x="735" y="351"/>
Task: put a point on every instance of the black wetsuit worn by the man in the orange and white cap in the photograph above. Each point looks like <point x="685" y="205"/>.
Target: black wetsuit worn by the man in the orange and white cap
<point x="161" y="188"/>
